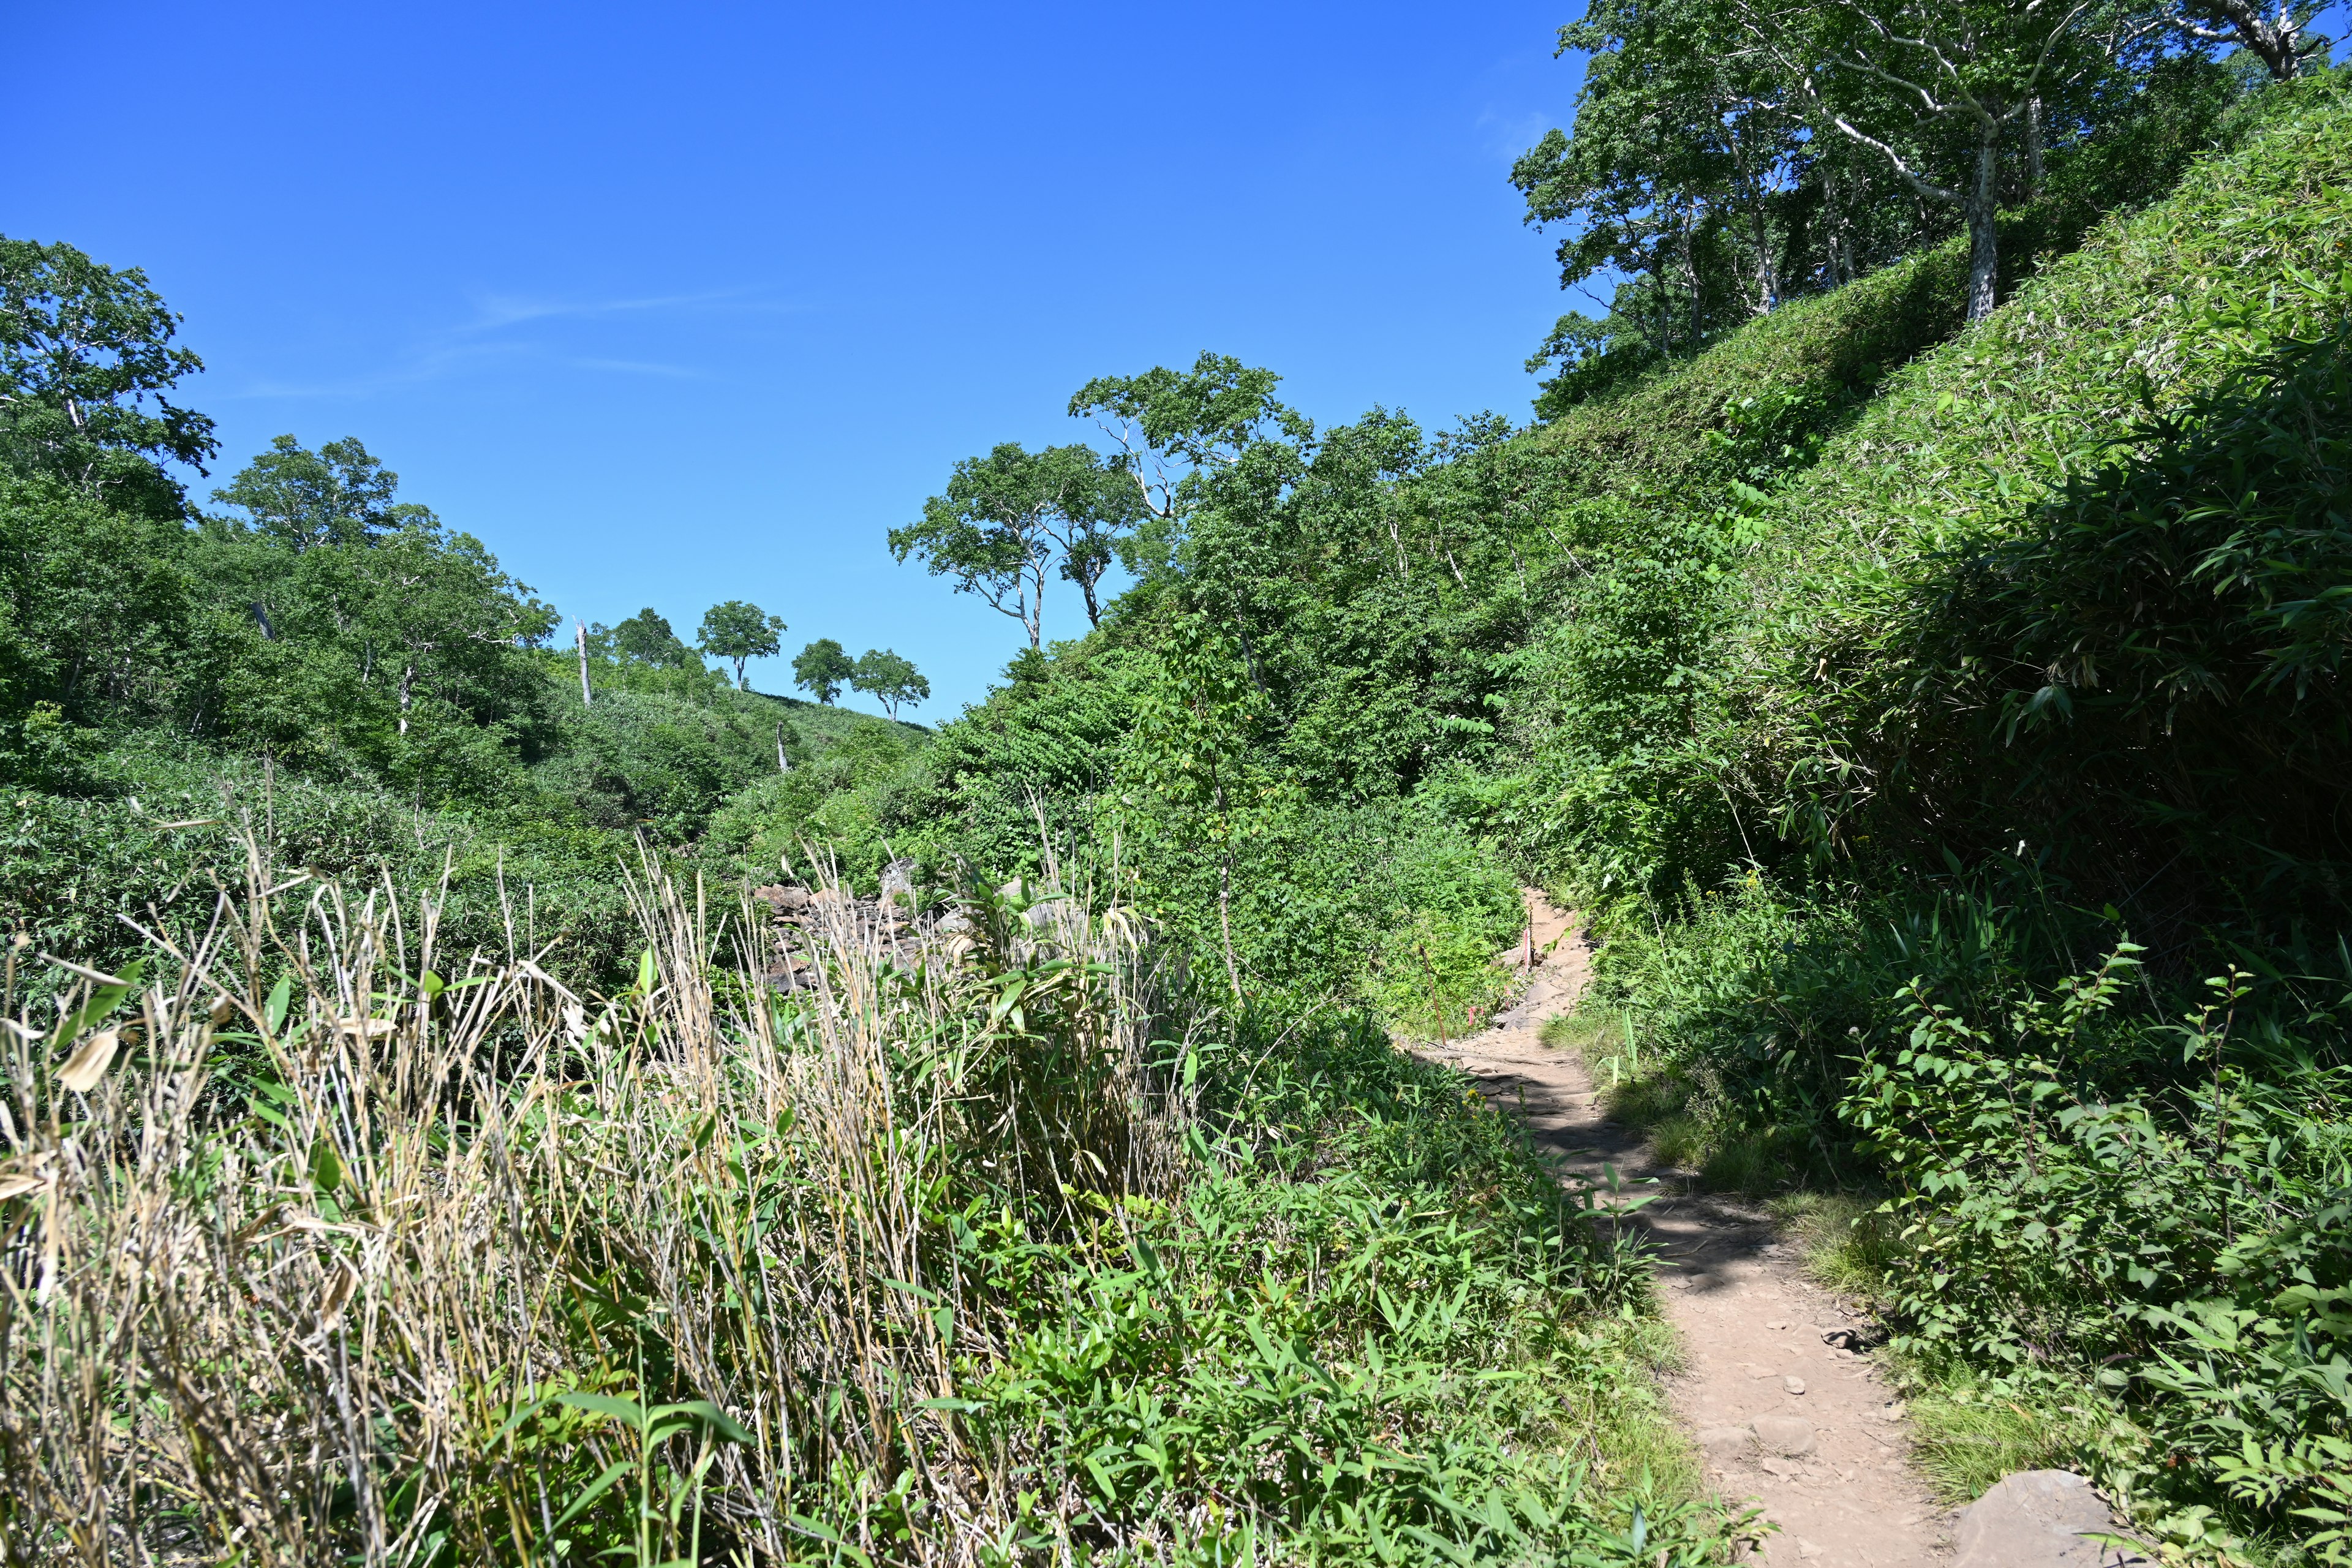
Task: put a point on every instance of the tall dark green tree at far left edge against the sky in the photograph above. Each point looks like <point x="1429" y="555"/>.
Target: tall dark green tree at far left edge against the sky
<point x="86" y="361"/>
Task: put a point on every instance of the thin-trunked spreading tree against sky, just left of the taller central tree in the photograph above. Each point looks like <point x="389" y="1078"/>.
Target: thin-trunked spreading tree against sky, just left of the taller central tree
<point x="1008" y="516"/>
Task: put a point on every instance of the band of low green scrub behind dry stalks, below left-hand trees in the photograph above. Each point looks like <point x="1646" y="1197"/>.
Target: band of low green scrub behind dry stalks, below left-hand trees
<point x="154" y="826"/>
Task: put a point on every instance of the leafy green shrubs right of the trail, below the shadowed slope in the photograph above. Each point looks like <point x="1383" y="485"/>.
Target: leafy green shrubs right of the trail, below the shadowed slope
<point x="2104" y="1214"/>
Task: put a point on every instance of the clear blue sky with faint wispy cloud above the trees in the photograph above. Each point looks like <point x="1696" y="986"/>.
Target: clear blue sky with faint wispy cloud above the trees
<point x="686" y="304"/>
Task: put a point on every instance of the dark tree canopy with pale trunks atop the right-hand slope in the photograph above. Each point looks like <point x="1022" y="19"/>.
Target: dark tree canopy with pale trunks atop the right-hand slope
<point x="1735" y="154"/>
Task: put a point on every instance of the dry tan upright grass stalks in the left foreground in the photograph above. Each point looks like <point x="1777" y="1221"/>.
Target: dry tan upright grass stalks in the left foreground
<point x="483" y="1268"/>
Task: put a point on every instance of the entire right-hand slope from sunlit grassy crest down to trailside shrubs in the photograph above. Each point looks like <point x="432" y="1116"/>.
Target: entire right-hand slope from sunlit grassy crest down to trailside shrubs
<point x="2019" y="925"/>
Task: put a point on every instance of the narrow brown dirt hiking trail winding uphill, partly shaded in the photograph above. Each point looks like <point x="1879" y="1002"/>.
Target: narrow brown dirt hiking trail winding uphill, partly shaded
<point x="1786" y="1416"/>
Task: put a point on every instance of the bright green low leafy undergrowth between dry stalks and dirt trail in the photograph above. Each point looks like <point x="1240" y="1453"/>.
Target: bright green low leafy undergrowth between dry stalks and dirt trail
<point x="1370" y="1318"/>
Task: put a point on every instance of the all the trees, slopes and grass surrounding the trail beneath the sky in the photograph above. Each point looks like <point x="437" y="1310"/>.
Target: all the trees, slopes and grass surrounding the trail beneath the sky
<point x="1911" y="634"/>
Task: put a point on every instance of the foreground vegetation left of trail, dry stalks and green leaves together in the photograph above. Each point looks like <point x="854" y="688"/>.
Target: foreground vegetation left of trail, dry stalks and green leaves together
<point x="328" y="1242"/>
